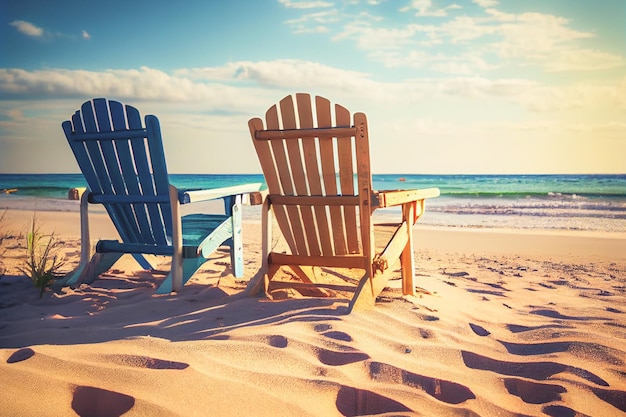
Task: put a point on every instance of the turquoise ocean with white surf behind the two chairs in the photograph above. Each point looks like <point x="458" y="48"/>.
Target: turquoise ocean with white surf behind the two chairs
<point x="592" y="203"/>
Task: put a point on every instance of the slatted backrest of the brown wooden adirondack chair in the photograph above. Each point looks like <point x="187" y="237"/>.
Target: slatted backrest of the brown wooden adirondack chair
<point x="315" y="163"/>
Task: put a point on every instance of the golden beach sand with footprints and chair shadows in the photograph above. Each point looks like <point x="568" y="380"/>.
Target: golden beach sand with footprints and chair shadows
<point x="506" y="323"/>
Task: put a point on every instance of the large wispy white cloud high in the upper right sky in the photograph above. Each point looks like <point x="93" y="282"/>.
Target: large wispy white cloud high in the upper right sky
<point x="468" y="44"/>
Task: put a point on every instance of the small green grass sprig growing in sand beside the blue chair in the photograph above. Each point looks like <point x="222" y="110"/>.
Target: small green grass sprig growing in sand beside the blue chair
<point x="42" y="263"/>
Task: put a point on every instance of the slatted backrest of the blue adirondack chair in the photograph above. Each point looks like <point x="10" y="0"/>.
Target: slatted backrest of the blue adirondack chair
<point x="124" y="165"/>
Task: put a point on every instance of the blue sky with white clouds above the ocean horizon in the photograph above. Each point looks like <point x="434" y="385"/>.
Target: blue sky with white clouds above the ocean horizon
<point x="448" y="86"/>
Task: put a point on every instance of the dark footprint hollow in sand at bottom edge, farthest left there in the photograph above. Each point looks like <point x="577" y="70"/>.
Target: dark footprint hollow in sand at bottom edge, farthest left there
<point x="98" y="402"/>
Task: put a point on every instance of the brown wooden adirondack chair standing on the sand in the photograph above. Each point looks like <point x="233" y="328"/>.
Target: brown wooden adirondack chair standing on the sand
<point x="312" y="155"/>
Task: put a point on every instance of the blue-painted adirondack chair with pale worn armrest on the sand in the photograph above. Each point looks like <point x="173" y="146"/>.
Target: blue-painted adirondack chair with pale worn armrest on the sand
<point x="124" y="165"/>
